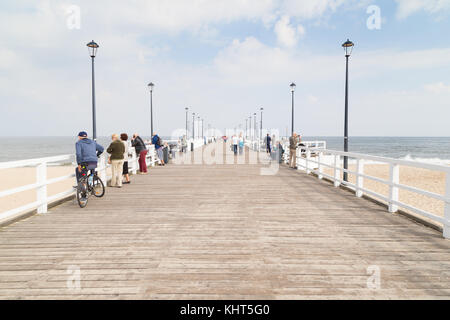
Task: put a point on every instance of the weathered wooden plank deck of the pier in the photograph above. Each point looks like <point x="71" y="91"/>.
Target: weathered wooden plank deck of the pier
<point x="223" y="232"/>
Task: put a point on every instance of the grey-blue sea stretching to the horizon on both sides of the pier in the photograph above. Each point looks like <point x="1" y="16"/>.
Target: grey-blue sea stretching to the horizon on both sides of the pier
<point x="424" y="149"/>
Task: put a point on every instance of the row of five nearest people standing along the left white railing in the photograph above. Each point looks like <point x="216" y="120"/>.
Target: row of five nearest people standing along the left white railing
<point x="88" y="151"/>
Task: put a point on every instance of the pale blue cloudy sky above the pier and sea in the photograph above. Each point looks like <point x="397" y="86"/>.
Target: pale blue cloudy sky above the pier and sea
<point x="225" y="59"/>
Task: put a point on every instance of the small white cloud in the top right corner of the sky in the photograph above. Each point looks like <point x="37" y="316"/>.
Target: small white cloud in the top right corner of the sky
<point x="409" y="7"/>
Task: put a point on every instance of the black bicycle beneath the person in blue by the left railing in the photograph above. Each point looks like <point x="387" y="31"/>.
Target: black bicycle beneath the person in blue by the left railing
<point x="89" y="184"/>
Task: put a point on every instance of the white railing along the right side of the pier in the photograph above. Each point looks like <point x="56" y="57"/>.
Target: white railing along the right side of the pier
<point x="314" y="160"/>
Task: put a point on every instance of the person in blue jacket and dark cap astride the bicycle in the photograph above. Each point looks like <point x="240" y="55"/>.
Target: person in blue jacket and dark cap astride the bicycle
<point x="87" y="153"/>
